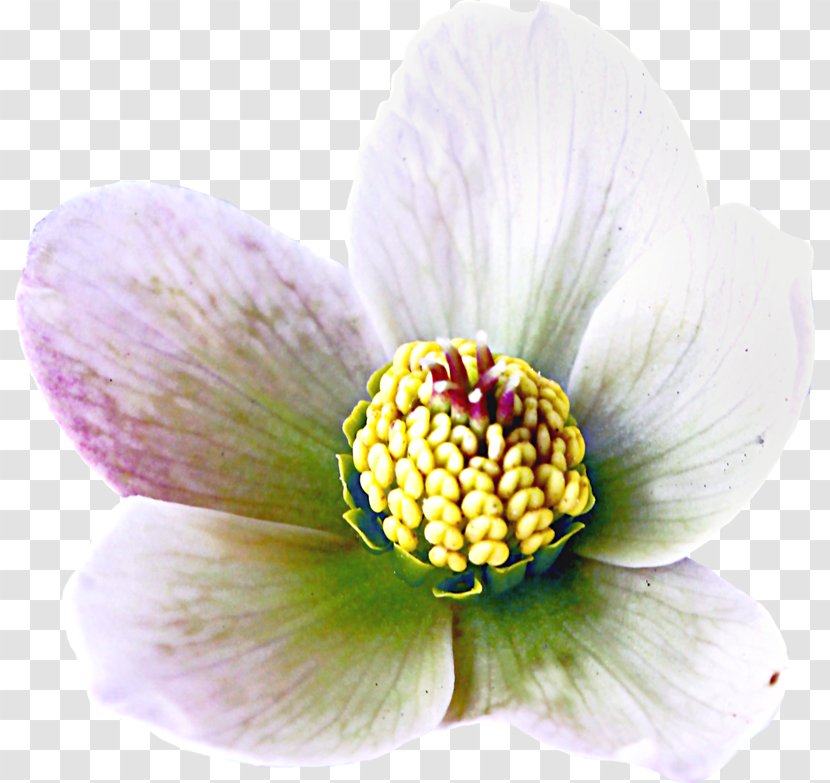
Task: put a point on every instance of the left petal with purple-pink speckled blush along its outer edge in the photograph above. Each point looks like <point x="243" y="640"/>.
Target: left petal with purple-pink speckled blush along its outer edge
<point x="193" y="354"/>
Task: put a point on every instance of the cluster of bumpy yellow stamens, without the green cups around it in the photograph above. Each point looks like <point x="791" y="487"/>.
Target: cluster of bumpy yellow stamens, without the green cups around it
<point x="460" y="488"/>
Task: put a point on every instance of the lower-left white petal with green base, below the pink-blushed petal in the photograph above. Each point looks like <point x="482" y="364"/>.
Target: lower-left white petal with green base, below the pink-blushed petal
<point x="276" y="644"/>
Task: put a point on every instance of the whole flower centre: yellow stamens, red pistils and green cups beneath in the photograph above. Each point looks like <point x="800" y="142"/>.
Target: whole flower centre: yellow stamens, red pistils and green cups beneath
<point x="466" y="463"/>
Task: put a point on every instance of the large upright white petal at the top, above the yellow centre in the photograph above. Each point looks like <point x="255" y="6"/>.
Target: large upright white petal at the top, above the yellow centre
<point x="521" y="163"/>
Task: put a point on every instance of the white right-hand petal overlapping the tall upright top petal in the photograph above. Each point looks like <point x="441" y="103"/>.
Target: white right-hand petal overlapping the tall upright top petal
<point x="690" y="379"/>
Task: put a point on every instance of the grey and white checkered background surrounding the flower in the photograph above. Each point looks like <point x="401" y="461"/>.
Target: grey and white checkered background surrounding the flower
<point x="264" y="104"/>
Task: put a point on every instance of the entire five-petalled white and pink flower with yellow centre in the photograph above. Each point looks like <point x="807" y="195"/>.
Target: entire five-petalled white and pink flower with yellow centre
<point x="460" y="477"/>
